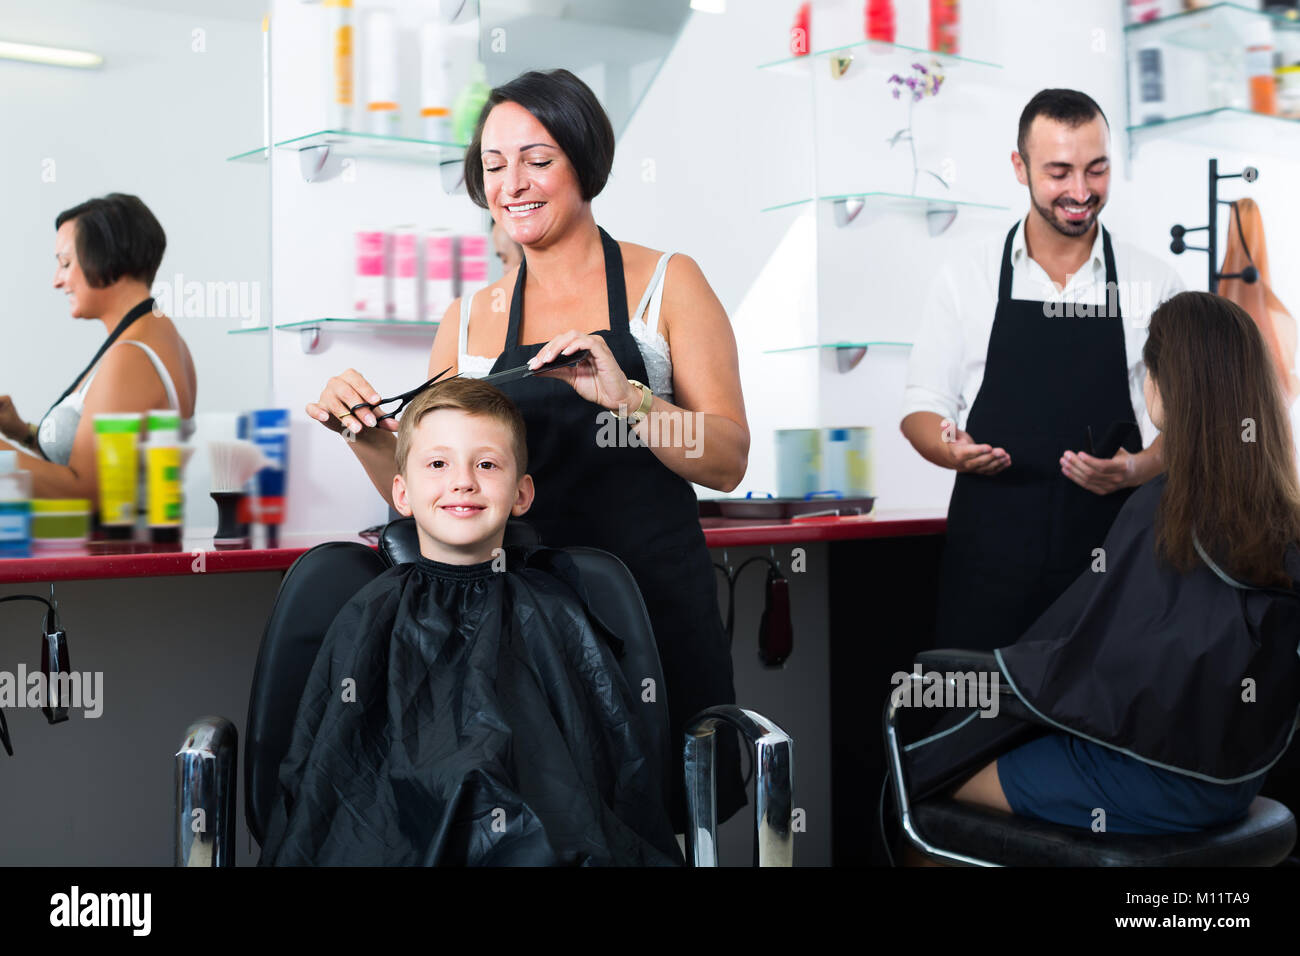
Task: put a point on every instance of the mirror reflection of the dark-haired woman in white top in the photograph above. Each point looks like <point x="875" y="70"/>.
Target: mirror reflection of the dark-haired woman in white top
<point x="109" y="252"/>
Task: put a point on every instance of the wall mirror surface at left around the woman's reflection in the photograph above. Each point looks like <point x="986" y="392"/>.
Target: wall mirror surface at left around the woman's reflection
<point x="179" y="92"/>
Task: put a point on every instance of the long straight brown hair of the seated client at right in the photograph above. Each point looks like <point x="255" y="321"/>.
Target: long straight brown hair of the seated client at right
<point x="1229" y="455"/>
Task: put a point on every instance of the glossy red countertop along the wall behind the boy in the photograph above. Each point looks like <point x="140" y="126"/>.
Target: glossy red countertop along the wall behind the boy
<point x="196" y="556"/>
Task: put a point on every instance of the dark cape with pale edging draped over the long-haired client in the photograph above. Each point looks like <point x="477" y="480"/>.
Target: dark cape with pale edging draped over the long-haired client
<point x="1186" y="673"/>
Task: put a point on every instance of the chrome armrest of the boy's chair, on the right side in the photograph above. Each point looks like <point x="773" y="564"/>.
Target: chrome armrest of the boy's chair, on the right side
<point x="774" y="763"/>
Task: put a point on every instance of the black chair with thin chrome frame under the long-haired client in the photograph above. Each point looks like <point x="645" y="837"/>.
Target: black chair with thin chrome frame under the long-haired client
<point x="956" y="833"/>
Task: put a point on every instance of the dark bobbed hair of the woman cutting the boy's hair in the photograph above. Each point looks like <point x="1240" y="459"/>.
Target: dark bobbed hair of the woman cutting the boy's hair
<point x="570" y="113"/>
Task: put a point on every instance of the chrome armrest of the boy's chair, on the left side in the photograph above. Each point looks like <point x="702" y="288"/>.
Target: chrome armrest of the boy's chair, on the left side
<point x="206" y="777"/>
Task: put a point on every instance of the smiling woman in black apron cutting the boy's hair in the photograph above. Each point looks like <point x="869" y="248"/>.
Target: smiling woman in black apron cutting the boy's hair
<point x="541" y="154"/>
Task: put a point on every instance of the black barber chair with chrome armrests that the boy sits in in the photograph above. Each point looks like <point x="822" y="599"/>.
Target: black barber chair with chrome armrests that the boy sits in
<point x="315" y="590"/>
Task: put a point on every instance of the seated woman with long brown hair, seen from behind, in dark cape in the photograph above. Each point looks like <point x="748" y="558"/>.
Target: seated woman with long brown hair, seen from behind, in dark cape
<point x="1168" y="673"/>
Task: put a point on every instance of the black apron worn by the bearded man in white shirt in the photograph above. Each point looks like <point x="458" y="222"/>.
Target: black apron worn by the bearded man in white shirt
<point x="1019" y="539"/>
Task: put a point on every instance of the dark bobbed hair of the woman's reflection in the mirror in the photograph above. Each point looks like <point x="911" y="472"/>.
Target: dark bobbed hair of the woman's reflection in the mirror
<point x="116" y="237"/>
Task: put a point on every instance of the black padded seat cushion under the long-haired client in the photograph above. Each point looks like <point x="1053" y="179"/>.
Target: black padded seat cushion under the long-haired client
<point x="1263" y="838"/>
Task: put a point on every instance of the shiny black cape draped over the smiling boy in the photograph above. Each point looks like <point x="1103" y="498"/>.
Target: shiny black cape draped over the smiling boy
<point x="463" y="716"/>
